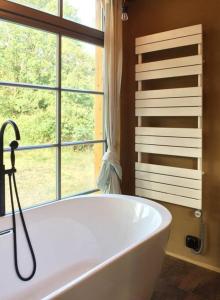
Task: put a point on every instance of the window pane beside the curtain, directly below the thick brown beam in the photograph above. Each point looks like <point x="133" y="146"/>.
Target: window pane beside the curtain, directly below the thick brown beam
<point x="81" y="65"/>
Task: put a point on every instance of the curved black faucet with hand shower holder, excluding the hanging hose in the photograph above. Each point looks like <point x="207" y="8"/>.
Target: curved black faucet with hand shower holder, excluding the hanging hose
<point x="3" y="172"/>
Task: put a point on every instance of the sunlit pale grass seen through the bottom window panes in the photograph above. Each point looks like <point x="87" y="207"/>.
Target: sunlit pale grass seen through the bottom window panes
<point x="36" y="174"/>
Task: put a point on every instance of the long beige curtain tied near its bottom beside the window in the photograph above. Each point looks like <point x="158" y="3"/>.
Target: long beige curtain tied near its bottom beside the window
<point x="111" y="174"/>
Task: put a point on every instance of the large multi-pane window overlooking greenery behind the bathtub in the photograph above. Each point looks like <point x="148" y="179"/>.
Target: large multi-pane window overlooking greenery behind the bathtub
<point x="51" y="85"/>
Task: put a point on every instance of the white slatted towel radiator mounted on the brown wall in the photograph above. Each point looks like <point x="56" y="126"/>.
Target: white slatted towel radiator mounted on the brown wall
<point x="174" y="184"/>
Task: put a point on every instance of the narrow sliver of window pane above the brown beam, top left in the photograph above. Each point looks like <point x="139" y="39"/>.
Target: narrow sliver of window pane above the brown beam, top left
<point x="49" y="6"/>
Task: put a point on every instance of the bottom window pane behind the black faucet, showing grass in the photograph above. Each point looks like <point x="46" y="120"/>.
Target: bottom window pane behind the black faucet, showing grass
<point x="35" y="175"/>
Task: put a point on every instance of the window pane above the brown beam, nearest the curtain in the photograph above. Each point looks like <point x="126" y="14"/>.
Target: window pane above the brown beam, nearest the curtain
<point x="86" y="12"/>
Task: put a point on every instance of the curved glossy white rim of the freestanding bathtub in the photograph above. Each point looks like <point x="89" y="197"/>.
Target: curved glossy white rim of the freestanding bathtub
<point x="165" y="223"/>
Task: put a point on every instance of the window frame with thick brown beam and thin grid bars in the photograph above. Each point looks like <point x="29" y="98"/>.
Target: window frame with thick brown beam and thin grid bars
<point x="23" y="15"/>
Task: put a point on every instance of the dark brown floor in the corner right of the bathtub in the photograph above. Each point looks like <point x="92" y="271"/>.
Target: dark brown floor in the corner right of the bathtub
<point x="180" y="280"/>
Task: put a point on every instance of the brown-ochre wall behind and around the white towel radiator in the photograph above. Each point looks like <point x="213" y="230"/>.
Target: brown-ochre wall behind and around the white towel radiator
<point x="151" y="16"/>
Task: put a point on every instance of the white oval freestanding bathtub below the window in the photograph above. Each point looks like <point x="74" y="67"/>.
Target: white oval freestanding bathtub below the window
<point x="106" y="247"/>
